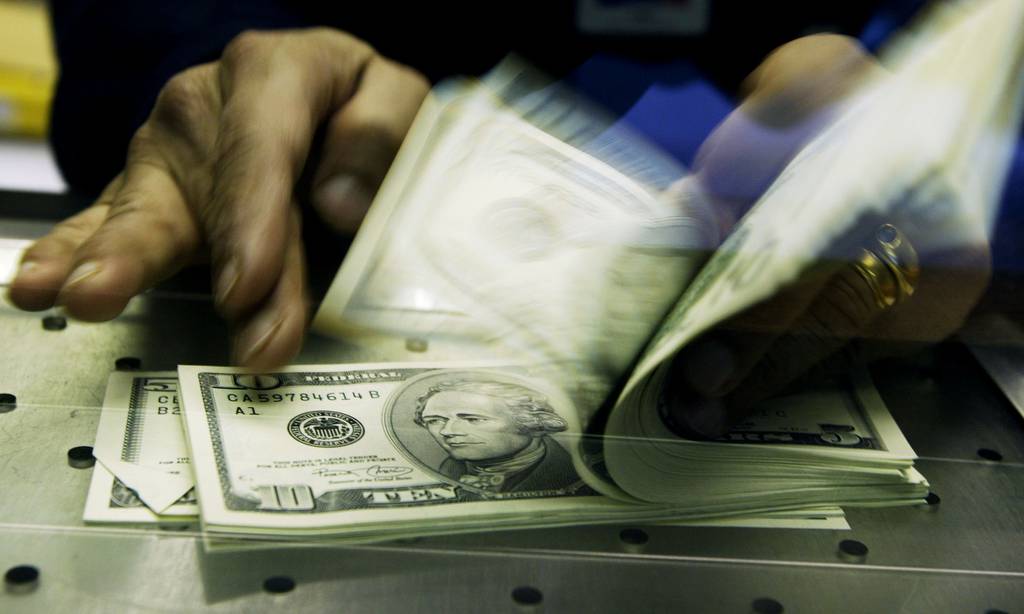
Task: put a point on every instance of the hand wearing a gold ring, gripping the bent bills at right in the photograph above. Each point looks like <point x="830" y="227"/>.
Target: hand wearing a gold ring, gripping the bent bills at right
<point x="810" y="326"/>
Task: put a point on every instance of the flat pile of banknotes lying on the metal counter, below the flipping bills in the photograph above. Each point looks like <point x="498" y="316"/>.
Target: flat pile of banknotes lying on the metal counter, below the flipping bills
<point x="381" y="452"/>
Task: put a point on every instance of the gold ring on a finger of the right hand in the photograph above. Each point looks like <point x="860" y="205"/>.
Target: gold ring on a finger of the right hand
<point x="890" y="268"/>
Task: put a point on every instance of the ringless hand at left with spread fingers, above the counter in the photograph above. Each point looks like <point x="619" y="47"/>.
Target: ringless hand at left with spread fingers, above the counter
<point x="214" y="173"/>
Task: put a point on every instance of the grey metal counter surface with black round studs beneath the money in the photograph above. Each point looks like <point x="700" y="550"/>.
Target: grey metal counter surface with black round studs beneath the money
<point x="964" y="554"/>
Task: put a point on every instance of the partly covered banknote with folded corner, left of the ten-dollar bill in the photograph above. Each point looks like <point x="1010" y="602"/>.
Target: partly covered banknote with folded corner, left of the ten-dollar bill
<point x="144" y="470"/>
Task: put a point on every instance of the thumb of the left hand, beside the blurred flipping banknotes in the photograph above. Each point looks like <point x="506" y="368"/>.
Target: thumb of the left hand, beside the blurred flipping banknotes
<point x="362" y="141"/>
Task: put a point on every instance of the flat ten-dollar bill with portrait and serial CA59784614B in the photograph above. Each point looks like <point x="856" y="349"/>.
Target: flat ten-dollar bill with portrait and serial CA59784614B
<point x="379" y="450"/>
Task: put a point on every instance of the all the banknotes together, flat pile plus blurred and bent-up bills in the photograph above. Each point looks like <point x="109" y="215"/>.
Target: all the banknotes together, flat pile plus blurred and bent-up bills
<point x="524" y="229"/>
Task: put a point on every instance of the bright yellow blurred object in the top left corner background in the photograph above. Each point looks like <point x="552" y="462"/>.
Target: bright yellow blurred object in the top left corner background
<point x="28" y="69"/>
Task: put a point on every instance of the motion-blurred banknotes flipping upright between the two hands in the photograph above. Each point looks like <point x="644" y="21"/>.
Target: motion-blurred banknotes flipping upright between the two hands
<point x="498" y="234"/>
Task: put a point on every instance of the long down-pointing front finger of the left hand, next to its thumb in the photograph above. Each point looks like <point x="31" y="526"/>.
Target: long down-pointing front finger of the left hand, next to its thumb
<point x="277" y="90"/>
